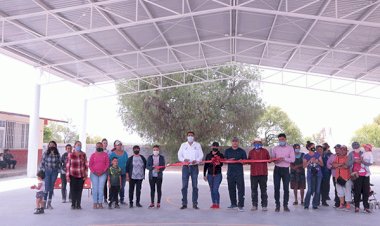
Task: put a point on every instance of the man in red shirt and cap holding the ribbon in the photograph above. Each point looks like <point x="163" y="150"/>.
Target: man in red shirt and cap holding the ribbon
<point x="259" y="174"/>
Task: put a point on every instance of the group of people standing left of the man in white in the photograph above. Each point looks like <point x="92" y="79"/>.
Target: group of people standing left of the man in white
<point x="108" y="169"/>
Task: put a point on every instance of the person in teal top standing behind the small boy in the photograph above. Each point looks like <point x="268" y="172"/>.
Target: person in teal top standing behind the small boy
<point x="122" y="158"/>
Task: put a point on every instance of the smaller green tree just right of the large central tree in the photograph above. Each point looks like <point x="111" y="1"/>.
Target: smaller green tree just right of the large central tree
<point x="275" y="121"/>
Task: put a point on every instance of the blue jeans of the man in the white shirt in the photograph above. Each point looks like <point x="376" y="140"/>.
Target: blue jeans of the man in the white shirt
<point x="190" y="171"/>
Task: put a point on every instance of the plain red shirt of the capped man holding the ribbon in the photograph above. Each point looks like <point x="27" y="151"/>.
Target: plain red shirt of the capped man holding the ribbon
<point x="259" y="168"/>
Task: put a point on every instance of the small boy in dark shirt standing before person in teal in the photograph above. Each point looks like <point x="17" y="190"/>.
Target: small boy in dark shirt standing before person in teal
<point x="114" y="183"/>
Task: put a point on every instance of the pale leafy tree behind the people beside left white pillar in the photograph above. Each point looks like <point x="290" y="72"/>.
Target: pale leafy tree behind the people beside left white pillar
<point x="63" y="133"/>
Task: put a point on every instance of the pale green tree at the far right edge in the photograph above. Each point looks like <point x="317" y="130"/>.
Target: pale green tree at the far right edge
<point x="369" y="133"/>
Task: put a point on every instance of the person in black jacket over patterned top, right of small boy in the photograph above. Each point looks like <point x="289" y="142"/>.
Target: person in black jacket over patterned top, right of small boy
<point x="136" y="165"/>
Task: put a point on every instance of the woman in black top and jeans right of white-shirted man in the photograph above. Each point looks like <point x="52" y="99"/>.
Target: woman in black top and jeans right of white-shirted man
<point x="214" y="173"/>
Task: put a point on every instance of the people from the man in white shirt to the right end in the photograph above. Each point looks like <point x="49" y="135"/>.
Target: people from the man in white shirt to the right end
<point x="350" y="173"/>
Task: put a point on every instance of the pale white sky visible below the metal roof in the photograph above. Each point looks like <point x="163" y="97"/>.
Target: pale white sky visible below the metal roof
<point x="311" y="110"/>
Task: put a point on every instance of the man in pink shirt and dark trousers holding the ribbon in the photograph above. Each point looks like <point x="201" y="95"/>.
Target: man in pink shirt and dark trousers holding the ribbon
<point x="285" y="155"/>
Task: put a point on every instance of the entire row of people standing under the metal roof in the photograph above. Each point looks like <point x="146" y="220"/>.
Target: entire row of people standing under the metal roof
<point x="113" y="168"/>
